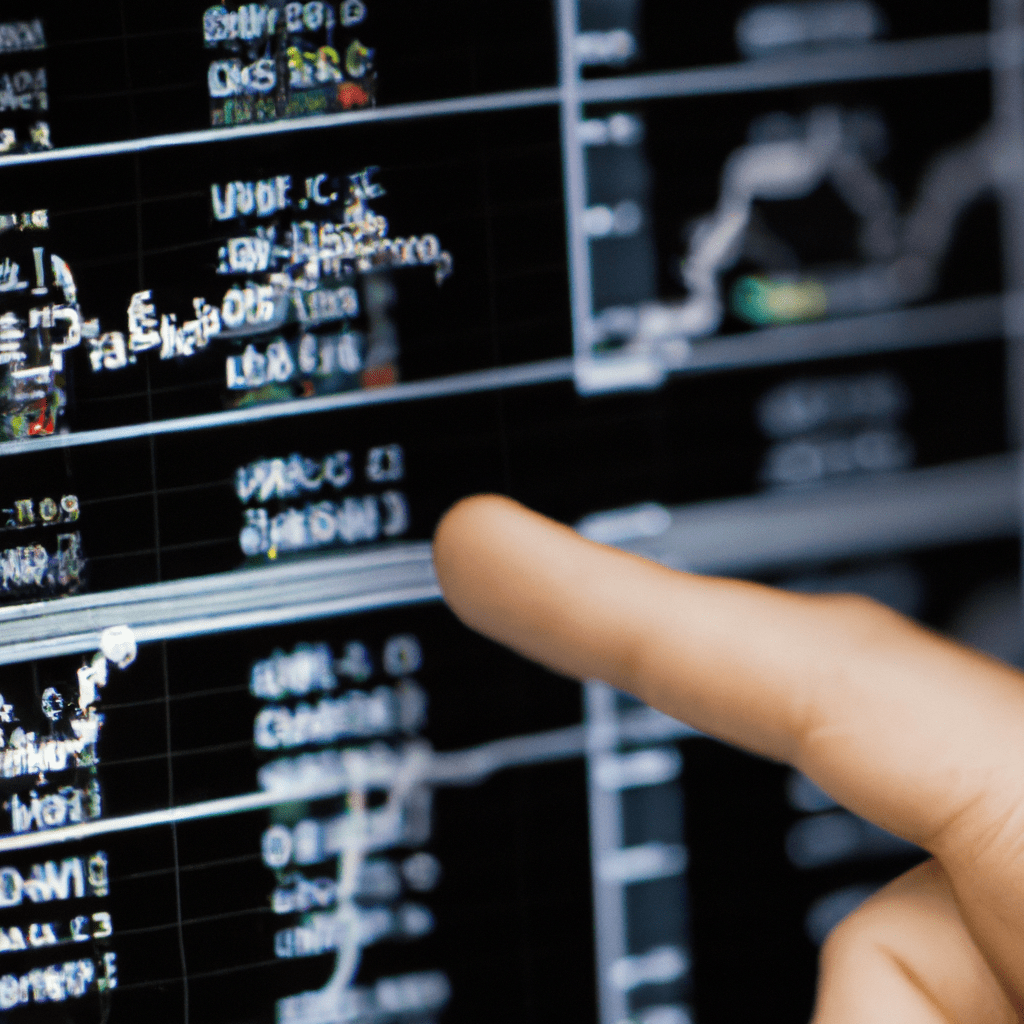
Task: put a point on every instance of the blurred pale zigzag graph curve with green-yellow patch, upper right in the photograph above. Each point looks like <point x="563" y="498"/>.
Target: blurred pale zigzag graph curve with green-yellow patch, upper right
<point x="903" y="252"/>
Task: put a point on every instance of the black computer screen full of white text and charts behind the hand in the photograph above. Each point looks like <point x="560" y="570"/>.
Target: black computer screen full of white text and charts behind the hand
<point x="734" y="287"/>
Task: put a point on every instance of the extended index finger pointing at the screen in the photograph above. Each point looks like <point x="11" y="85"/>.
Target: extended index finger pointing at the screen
<point x="902" y="726"/>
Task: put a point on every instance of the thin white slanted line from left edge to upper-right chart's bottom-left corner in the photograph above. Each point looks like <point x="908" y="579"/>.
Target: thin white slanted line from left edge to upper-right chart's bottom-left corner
<point x="468" y="383"/>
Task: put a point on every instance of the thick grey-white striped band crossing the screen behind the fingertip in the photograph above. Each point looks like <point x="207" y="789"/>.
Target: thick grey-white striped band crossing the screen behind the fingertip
<point x="957" y="502"/>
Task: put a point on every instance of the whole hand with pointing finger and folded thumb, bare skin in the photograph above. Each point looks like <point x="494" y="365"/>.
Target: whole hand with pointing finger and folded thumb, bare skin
<point x="913" y="732"/>
